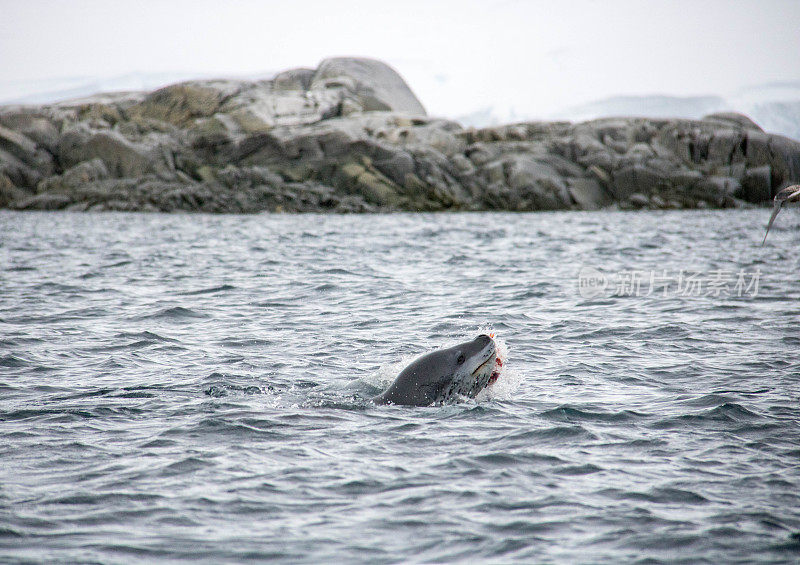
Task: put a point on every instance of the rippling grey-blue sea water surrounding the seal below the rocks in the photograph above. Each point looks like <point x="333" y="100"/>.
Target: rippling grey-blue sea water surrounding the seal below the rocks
<point x="194" y="388"/>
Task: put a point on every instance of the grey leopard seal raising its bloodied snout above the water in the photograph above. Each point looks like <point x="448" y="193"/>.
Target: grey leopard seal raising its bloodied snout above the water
<point x="445" y="374"/>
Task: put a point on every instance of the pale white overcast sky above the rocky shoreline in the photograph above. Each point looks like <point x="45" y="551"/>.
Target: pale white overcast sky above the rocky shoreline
<point x="458" y="56"/>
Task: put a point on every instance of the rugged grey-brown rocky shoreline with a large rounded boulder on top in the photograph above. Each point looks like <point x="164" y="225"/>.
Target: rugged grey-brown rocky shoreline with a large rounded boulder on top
<point x="350" y="136"/>
